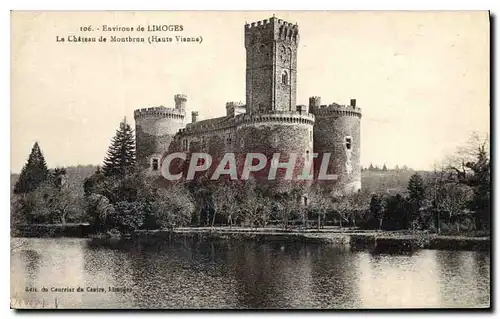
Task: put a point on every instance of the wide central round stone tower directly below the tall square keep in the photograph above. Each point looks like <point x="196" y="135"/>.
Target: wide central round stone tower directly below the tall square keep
<point x="278" y="136"/>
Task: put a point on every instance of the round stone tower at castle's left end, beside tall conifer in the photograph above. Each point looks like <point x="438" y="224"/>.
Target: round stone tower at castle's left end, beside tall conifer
<point x="154" y="131"/>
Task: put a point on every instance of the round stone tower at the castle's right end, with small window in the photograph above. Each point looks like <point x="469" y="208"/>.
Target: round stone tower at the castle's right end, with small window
<point x="337" y="132"/>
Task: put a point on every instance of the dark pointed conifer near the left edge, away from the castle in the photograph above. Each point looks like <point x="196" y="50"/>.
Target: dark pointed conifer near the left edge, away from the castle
<point x="34" y="172"/>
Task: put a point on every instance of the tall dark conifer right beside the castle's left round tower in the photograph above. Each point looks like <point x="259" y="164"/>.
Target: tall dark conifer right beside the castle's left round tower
<point x="120" y="159"/>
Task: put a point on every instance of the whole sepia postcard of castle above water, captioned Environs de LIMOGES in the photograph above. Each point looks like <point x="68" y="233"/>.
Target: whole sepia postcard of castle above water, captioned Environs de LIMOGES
<point x="250" y="160"/>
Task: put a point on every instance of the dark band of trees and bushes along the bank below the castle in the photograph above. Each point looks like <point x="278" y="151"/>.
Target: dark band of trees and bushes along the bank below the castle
<point x="454" y="198"/>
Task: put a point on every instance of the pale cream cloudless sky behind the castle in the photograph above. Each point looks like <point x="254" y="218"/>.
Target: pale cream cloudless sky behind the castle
<point x="420" y="78"/>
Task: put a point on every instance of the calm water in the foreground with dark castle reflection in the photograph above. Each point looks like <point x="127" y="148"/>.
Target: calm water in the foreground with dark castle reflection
<point x="239" y="275"/>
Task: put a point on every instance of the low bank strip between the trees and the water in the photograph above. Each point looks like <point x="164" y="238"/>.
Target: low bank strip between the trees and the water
<point x="352" y="238"/>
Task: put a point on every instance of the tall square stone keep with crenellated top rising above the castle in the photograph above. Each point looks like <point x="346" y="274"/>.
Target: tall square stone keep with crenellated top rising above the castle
<point x="271" y="68"/>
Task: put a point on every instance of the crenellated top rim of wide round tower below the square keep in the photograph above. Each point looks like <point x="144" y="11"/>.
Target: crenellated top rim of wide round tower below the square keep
<point x="276" y="117"/>
